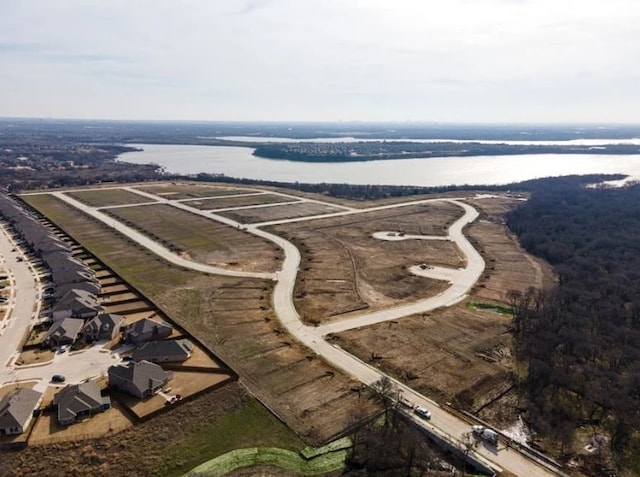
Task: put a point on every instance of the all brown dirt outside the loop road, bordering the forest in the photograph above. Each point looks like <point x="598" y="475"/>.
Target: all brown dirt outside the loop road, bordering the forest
<point x="459" y="354"/>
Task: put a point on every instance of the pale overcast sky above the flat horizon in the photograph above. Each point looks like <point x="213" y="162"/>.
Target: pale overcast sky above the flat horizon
<point x="546" y="61"/>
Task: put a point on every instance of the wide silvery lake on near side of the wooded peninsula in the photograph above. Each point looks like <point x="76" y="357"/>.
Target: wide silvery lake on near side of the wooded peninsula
<point x="482" y="170"/>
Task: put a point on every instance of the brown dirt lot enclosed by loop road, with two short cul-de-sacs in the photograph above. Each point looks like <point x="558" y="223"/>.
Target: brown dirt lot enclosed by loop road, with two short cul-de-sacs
<point x="345" y="269"/>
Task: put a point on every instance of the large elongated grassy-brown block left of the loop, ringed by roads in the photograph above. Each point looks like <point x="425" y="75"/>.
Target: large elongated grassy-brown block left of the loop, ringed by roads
<point x="201" y="239"/>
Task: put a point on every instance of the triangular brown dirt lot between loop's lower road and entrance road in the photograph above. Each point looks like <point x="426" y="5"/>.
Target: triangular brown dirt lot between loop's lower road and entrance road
<point x="451" y="355"/>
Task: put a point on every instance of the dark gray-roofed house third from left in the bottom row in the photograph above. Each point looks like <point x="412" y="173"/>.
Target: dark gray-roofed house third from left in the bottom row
<point x="140" y="379"/>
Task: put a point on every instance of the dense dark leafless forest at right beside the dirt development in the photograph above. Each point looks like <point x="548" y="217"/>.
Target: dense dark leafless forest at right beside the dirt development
<point x="581" y="340"/>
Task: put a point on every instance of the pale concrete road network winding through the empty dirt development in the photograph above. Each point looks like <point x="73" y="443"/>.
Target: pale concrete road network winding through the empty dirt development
<point x="444" y="423"/>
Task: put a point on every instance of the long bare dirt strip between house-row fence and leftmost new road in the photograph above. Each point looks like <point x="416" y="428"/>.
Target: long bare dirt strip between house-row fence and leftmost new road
<point x="233" y="317"/>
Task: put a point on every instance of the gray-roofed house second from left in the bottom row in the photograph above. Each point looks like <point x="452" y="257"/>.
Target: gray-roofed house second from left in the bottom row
<point x="77" y="401"/>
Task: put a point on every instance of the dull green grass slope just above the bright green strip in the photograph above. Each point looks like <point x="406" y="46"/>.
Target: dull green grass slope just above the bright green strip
<point x="251" y="425"/>
